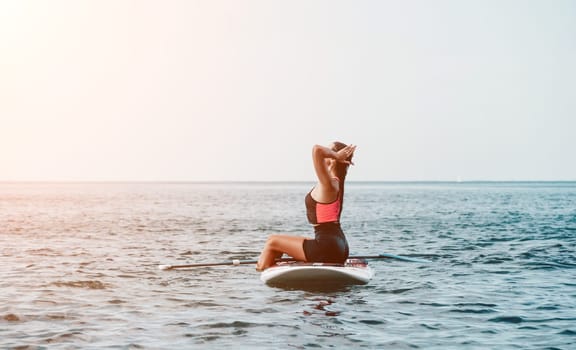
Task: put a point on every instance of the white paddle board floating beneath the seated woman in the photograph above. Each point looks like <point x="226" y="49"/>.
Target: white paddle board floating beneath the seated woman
<point x="353" y="271"/>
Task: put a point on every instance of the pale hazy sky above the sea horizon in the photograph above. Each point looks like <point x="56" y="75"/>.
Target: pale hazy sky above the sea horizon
<point x="214" y="90"/>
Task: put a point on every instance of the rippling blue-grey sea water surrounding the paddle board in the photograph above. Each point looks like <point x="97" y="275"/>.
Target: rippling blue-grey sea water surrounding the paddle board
<point x="79" y="267"/>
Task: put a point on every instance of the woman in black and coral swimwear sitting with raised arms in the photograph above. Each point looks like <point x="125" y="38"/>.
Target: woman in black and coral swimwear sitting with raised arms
<point x="323" y="208"/>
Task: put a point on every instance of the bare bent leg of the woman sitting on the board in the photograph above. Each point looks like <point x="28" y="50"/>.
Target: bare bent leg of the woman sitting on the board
<point x="276" y="245"/>
